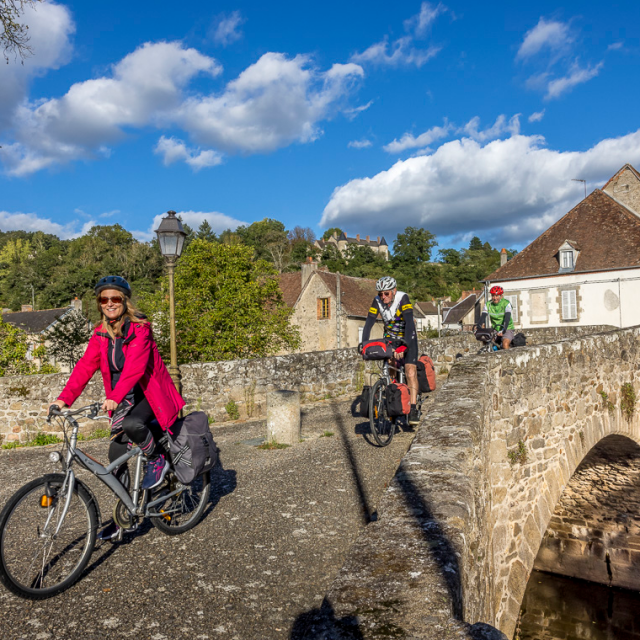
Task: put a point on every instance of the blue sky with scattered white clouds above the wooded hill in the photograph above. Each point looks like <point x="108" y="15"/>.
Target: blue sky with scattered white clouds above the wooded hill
<point x="465" y="118"/>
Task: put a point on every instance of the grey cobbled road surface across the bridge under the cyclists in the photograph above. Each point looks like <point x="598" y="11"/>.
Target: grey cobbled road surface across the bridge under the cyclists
<point x="278" y="529"/>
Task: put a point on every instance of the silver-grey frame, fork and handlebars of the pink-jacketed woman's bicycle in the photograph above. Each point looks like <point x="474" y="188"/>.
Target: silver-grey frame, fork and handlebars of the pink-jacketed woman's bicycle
<point x="105" y="474"/>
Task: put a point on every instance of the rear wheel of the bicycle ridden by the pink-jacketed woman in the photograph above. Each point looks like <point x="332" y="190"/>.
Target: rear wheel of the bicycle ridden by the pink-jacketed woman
<point x="184" y="510"/>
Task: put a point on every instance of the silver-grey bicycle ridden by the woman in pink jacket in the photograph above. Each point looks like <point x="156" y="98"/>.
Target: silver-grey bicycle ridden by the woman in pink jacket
<point x="48" y="527"/>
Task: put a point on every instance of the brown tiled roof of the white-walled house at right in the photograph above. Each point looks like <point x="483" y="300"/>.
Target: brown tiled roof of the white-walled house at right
<point x="606" y="233"/>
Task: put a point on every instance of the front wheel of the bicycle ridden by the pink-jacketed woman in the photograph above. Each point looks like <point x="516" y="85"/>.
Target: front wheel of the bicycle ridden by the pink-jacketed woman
<point x="42" y="555"/>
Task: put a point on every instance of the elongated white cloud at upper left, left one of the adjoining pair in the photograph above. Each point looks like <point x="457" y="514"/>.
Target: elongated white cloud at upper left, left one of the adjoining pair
<point x="143" y="88"/>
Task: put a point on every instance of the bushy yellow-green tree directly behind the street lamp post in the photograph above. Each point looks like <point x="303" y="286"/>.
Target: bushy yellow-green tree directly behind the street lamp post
<point x="228" y="306"/>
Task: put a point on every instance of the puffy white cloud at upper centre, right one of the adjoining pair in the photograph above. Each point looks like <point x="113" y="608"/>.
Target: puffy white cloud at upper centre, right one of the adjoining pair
<point x="272" y="103"/>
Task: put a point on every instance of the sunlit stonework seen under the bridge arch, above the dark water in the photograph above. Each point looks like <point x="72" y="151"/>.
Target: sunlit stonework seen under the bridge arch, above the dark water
<point x="594" y="533"/>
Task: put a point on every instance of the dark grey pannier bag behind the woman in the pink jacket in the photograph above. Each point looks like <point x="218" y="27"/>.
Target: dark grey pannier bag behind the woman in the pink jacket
<point x="193" y="451"/>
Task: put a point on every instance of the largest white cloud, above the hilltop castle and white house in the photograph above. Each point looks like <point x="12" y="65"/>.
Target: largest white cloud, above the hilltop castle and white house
<point x="509" y="190"/>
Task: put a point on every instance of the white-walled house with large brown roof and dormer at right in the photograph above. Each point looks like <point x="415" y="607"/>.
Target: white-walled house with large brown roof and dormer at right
<point x="585" y="269"/>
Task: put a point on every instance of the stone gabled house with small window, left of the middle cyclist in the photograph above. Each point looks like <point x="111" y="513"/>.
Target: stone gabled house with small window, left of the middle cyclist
<point x="330" y="309"/>
